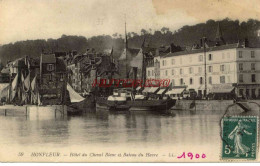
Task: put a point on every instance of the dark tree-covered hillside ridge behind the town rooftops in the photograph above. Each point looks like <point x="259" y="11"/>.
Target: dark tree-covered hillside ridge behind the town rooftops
<point x="232" y="31"/>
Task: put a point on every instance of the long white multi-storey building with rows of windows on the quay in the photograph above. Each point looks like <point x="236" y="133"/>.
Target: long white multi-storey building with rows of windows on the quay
<point x="232" y="65"/>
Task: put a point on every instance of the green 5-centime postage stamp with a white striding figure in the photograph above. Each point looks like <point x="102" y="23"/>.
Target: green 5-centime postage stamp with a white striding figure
<point x="239" y="137"/>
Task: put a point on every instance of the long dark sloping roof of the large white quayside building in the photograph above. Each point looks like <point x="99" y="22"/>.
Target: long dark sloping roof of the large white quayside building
<point x="222" y="47"/>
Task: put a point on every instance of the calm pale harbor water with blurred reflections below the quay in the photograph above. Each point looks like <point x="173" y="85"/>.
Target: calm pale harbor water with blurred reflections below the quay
<point x="102" y="127"/>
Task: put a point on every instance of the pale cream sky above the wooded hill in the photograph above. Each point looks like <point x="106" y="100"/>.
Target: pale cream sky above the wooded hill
<point x="43" y="19"/>
